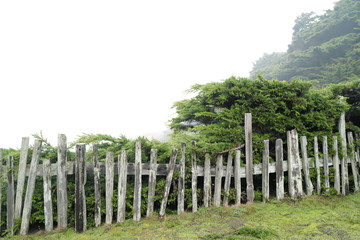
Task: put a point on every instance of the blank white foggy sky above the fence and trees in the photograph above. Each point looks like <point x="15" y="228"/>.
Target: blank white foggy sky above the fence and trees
<point x="116" y="67"/>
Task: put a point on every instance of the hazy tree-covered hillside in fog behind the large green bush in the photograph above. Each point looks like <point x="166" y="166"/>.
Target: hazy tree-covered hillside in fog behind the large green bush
<point x="324" y="47"/>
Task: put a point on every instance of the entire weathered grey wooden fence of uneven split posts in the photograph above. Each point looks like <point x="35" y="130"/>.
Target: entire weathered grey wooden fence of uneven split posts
<point x="297" y="167"/>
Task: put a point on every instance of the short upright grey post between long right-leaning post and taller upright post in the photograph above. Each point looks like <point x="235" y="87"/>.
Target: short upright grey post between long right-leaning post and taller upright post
<point x="49" y="225"/>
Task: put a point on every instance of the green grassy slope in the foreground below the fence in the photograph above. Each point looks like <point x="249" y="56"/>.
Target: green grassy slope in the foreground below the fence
<point x="316" y="217"/>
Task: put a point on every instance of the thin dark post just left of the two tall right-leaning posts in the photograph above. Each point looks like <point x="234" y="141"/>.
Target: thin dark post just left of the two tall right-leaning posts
<point x="10" y="194"/>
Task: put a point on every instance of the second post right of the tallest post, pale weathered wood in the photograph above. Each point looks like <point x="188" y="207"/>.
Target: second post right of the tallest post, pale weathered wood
<point x="279" y="155"/>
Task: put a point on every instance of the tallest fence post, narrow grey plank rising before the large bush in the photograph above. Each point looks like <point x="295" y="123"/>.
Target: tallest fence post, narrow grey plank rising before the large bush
<point x="249" y="158"/>
